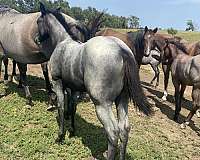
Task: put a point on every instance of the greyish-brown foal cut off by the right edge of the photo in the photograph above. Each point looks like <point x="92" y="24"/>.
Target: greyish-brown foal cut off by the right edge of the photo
<point x="185" y="71"/>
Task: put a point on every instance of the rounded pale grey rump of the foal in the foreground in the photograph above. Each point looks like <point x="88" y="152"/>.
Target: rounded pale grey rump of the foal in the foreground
<point x="103" y="69"/>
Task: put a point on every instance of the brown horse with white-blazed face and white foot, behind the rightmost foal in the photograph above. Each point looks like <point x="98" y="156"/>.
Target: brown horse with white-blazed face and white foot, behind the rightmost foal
<point x="160" y="41"/>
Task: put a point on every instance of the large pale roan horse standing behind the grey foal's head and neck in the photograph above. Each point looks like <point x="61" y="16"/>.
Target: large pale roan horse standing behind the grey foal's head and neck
<point x="26" y="48"/>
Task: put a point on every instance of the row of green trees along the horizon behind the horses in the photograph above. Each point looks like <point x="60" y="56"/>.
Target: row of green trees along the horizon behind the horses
<point x="83" y="15"/>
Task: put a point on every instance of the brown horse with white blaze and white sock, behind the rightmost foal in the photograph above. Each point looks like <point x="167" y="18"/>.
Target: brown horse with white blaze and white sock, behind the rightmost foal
<point x="168" y="54"/>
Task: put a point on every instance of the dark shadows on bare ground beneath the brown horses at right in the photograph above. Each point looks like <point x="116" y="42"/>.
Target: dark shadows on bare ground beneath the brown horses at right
<point x="167" y="110"/>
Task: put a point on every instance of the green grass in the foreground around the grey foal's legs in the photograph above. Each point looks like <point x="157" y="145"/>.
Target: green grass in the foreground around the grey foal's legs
<point x="28" y="134"/>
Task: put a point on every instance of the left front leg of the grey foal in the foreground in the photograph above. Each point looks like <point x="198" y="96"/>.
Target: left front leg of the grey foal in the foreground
<point x="58" y="88"/>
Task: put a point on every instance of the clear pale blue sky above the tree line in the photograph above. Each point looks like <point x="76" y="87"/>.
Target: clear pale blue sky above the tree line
<point x="152" y="13"/>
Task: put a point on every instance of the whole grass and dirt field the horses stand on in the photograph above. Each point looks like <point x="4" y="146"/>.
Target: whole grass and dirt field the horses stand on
<point x="27" y="134"/>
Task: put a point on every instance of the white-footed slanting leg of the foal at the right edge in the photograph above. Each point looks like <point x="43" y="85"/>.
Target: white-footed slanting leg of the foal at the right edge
<point x="196" y="105"/>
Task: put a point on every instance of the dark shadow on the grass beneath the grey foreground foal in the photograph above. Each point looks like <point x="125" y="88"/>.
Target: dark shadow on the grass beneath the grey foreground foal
<point x="93" y="137"/>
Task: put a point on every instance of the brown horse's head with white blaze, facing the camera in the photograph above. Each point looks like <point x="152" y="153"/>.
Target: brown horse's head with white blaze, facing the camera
<point x="149" y="36"/>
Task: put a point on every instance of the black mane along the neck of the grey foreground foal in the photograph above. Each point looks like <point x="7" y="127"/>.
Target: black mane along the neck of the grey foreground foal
<point x="58" y="15"/>
